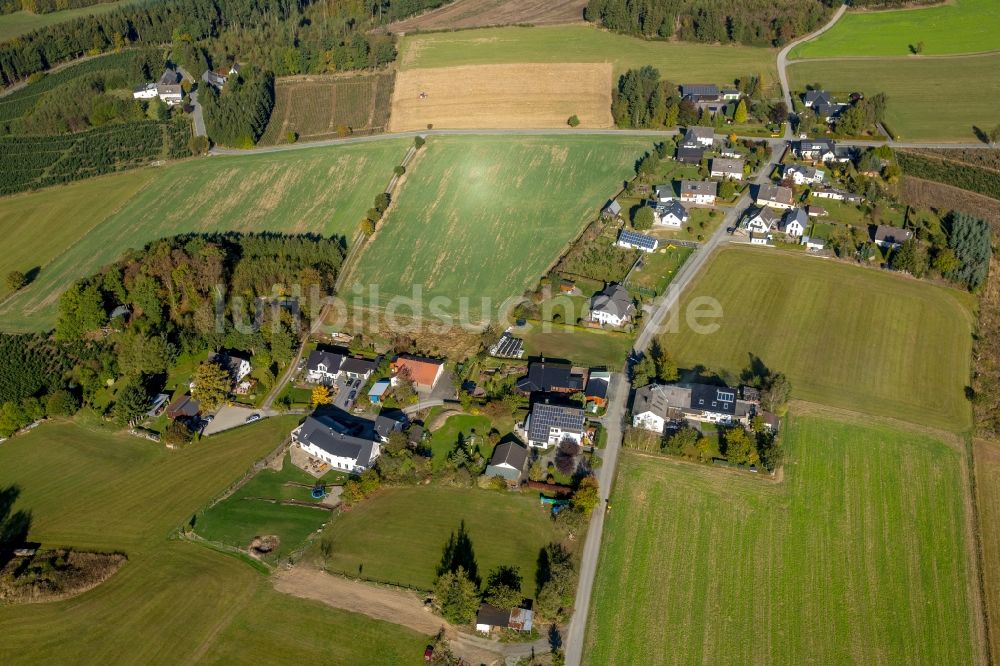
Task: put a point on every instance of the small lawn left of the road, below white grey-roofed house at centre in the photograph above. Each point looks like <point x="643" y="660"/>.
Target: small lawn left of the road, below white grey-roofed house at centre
<point x="584" y="346"/>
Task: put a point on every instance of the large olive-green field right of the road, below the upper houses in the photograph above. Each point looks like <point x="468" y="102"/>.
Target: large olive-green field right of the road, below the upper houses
<point x="845" y="336"/>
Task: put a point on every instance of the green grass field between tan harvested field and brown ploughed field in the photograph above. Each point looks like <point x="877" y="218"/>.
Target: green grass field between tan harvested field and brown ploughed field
<point x="678" y="61"/>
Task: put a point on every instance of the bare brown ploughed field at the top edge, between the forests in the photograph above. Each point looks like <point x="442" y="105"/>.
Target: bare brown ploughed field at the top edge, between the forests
<point x="483" y="13"/>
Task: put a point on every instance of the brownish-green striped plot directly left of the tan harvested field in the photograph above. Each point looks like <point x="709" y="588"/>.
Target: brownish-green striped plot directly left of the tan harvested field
<point x="323" y="107"/>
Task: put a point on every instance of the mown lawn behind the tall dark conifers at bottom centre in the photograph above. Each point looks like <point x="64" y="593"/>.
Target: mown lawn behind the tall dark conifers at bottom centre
<point x="413" y="526"/>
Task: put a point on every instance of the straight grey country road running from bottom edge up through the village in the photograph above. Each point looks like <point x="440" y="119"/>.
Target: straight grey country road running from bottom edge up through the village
<point x="617" y="405"/>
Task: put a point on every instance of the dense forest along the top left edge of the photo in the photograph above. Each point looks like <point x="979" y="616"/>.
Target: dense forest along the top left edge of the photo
<point x="281" y="36"/>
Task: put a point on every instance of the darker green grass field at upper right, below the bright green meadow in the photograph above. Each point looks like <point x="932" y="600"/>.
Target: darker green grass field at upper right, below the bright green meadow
<point x="913" y="114"/>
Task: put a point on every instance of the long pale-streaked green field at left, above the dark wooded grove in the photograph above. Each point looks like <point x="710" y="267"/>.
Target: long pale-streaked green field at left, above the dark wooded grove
<point x="323" y="190"/>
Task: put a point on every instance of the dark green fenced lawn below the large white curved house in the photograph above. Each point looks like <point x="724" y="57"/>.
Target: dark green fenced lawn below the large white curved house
<point x="255" y="510"/>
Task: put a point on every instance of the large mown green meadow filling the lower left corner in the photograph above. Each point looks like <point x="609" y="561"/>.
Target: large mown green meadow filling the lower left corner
<point x="94" y="489"/>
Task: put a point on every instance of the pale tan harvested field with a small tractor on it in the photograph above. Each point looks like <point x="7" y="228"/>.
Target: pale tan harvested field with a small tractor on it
<point x="514" y="96"/>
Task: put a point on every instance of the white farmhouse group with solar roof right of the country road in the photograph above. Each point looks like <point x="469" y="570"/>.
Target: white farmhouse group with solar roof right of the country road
<point x="658" y="407"/>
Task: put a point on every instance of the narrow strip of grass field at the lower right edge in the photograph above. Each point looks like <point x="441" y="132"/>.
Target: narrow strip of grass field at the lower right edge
<point x="987" y="456"/>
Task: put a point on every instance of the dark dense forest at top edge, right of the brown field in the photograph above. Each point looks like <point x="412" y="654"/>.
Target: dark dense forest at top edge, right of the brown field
<point x="751" y="22"/>
